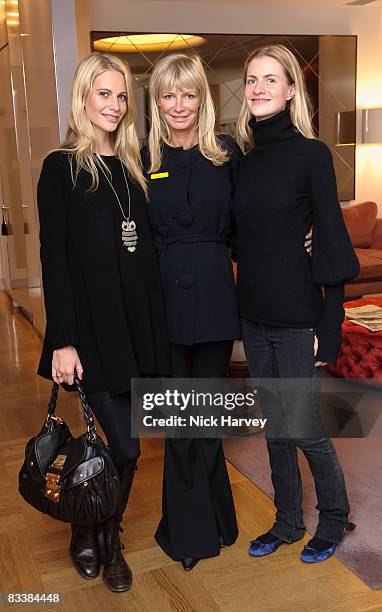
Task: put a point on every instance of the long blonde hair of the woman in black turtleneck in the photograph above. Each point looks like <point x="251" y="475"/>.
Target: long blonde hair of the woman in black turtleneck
<point x="300" y="104"/>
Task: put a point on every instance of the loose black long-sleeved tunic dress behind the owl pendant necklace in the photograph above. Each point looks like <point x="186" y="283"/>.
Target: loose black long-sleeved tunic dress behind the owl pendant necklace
<point x="99" y="297"/>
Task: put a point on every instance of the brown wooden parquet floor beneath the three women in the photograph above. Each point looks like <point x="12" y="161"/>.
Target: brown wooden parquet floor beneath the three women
<point x="33" y="548"/>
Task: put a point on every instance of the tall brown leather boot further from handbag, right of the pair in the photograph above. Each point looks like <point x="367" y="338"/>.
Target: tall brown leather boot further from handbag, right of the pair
<point x="117" y="575"/>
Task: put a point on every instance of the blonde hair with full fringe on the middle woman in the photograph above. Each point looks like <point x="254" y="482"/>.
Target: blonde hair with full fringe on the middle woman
<point x="182" y="71"/>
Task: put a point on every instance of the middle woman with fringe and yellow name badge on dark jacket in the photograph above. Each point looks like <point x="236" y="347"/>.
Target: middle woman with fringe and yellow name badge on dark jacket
<point x="191" y="173"/>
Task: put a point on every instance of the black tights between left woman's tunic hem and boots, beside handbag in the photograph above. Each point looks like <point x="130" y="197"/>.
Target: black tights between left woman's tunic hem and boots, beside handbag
<point x="114" y="416"/>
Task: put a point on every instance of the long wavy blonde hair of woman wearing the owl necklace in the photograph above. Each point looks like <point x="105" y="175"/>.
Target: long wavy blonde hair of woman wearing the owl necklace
<point x="80" y="141"/>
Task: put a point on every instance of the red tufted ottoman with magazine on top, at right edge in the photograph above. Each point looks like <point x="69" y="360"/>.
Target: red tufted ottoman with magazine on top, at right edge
<point x="361" y="350"/>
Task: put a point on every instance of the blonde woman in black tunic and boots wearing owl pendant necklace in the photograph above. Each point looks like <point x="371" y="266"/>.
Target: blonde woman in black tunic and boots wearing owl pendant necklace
<point x="103" y="298"/>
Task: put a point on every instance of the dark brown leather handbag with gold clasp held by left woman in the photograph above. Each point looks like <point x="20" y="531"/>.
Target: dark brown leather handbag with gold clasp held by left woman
<point x="70" y="479"/>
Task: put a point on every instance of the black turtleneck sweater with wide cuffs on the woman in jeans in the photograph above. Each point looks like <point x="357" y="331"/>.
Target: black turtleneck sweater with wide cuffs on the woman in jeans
<point x="287" y="184"/>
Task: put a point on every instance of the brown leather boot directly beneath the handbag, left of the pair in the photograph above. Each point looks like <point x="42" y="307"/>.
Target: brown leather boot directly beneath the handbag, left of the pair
<point x="84" y="551"/>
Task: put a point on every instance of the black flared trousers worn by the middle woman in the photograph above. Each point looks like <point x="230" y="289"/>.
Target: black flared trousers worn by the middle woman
<point x="197" y="503"/>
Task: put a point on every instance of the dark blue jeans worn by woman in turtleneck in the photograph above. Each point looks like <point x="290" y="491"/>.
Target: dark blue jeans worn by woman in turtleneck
<point x="281" y="353"/>
